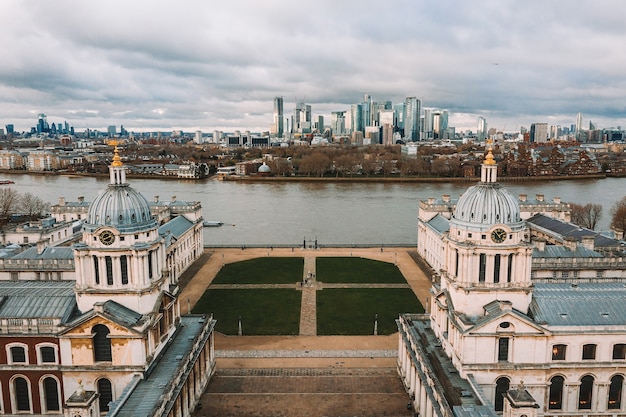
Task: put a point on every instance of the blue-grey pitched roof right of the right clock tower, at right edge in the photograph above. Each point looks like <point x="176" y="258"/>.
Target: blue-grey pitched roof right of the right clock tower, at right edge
<point x="584" y="304"/>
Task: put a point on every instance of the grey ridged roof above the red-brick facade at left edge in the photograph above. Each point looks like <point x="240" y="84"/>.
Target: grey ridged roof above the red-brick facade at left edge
<point x="37" y="299"/>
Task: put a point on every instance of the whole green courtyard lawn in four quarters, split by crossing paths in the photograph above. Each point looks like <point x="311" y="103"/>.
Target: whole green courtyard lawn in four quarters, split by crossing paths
<point x="350" y="310"/>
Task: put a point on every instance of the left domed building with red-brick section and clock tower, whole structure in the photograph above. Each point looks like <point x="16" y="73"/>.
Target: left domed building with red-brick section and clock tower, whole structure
<point x="114" y="341"/>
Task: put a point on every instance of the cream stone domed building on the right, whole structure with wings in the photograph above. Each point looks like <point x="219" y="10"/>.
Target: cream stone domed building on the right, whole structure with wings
<point x="522" y="320"/>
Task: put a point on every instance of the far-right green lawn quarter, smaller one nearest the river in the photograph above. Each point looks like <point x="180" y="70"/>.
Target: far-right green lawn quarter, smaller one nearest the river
<point x="350" y="270"/>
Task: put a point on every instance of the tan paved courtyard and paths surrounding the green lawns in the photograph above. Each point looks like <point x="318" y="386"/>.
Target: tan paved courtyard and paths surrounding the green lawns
<point x="304" y="375"/>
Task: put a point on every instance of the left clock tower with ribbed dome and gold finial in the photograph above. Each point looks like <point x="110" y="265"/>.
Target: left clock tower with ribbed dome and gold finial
<point x="121" y="256"/>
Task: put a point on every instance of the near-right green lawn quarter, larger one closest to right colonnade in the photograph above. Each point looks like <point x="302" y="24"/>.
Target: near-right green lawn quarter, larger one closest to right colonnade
<point x="352" y="311"/>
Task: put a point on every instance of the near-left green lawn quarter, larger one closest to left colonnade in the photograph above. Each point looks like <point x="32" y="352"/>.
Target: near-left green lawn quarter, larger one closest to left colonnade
<point x="263" y="311"/>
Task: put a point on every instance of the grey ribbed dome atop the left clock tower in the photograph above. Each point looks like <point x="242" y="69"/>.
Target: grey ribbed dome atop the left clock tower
<point x="121" y="207"/>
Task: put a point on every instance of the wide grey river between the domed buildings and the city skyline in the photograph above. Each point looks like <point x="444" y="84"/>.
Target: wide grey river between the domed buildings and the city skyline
<point x="287" y="213"/>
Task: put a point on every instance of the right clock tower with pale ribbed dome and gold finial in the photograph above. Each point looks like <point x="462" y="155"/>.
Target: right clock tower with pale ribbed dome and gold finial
<point x="488" y="253"/>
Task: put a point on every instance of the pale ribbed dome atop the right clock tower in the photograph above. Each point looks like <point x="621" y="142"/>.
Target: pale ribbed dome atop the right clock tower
<point x="487" y="204"/>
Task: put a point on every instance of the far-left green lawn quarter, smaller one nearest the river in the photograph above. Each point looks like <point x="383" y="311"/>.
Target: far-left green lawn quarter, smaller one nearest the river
<point x="268" y="270"/>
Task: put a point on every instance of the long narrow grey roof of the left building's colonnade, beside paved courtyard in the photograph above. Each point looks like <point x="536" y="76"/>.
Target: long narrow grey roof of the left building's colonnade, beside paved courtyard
<point x="142" y="399"/>
